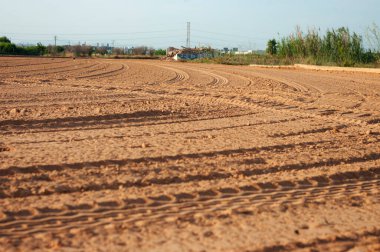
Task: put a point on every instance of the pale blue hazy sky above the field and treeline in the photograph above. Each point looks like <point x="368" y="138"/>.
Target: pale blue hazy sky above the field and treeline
<point x="246" y="24"/>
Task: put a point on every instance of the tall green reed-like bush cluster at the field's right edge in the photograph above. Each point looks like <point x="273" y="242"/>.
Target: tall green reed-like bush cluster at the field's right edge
<point x="337" y="47"/>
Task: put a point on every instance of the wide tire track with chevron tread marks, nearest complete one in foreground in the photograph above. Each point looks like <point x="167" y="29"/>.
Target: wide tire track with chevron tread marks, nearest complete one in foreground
<point x="185" y="205"/>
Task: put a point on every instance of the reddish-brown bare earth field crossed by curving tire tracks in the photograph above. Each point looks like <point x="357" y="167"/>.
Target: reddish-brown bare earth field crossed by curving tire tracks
<point x="117" y="155"/>
